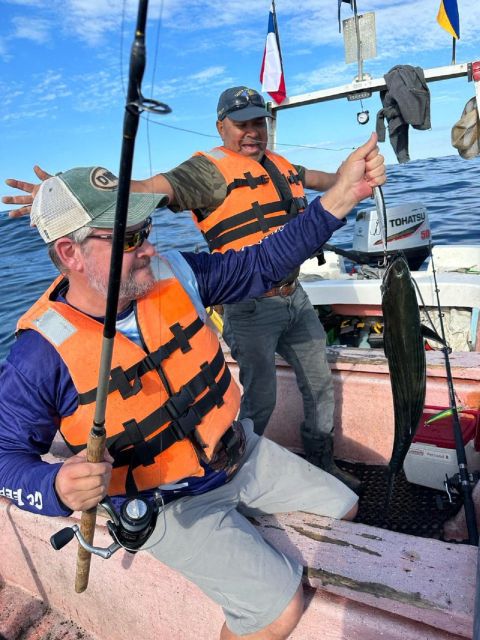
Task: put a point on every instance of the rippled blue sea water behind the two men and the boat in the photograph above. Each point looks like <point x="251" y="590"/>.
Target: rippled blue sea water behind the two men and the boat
<point x="449" y="187"/>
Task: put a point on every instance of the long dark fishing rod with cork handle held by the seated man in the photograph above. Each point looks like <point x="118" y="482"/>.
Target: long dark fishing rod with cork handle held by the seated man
<point x="135" y="104"/>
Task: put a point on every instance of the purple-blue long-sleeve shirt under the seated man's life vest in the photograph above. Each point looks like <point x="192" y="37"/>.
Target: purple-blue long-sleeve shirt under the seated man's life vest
<point x="36" y="389"/>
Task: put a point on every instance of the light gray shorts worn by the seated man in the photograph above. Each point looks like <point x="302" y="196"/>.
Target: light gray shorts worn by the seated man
<point x="209" y="539"/>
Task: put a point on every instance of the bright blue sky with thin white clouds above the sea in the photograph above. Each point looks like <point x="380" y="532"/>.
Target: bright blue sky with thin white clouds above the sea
<point x="63" y="73"/>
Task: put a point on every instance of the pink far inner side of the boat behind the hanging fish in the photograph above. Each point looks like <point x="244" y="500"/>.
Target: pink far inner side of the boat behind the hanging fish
<point x="363" y="419"/>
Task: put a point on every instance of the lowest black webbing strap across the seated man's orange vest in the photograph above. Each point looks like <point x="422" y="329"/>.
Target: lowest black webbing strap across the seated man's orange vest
<point x="183" y="427"/>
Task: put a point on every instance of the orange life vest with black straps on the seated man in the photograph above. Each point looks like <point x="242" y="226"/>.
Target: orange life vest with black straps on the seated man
<point x="168" y="405"/>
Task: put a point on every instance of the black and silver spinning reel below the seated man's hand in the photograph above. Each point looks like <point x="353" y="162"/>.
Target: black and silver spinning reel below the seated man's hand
<point x="130" y="528"/>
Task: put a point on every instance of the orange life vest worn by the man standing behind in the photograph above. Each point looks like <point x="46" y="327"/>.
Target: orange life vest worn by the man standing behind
<point x="253" y="207"/>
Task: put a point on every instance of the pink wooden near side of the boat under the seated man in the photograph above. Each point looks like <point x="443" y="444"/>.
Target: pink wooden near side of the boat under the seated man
<point x="362" y="583"/>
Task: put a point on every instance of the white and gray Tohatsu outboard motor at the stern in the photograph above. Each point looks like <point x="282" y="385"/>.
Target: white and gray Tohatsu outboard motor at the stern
<point x="408" y="231"/>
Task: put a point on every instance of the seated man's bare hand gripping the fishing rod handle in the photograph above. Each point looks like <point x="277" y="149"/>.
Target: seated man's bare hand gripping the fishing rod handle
<point x="81" y="485"/>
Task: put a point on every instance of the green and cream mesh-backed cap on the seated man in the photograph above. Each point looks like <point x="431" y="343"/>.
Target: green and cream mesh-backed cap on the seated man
<point x="86" y="197"/>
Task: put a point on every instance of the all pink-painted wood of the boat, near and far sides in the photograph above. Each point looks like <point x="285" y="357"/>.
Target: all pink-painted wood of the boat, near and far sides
<point x="363" y="582"/>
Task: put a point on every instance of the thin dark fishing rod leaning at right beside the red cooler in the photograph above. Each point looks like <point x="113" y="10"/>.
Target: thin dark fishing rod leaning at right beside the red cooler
<point x="464" y="476"/>
